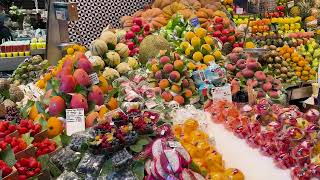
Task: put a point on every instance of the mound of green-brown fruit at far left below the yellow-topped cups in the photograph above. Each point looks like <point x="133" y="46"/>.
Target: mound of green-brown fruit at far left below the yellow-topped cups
<point x="30" y="70"/>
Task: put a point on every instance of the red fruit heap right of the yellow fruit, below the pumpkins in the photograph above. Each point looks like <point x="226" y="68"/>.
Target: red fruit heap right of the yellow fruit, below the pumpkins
<point x="222" y="30"/>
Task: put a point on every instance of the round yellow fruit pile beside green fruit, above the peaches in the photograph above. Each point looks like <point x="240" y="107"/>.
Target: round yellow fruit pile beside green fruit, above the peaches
<point x="200" y="48"/>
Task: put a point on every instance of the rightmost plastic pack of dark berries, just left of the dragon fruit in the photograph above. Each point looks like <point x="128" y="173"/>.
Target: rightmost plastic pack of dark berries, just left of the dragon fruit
<point x="121" y="159"/>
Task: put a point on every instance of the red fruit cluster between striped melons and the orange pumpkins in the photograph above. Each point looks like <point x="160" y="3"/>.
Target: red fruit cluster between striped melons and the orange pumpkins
<point x="136" y="34"/>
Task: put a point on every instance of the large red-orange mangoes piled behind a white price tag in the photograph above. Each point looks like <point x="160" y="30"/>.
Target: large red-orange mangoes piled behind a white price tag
<point x="75" y="73"/>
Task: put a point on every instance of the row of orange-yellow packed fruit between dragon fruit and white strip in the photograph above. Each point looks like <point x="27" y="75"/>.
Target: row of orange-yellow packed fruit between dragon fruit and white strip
<point x="203" y="154"/>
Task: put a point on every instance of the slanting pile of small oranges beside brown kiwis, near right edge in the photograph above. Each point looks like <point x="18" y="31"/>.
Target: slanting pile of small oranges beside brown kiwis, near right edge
<point x="301" y="66"/>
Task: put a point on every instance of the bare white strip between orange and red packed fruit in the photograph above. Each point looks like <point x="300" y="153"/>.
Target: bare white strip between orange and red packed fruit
<point x="237" y="153"/>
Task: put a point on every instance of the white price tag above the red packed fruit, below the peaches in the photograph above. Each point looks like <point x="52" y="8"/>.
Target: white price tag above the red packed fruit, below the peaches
<point x="222" y="93"/>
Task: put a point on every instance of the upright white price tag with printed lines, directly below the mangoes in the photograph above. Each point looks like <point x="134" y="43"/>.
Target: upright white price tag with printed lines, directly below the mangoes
<point x="75" y="121"/>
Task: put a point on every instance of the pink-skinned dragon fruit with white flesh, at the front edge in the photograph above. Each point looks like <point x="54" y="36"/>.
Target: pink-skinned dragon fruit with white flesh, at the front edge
<point x="169" y="160"/>
